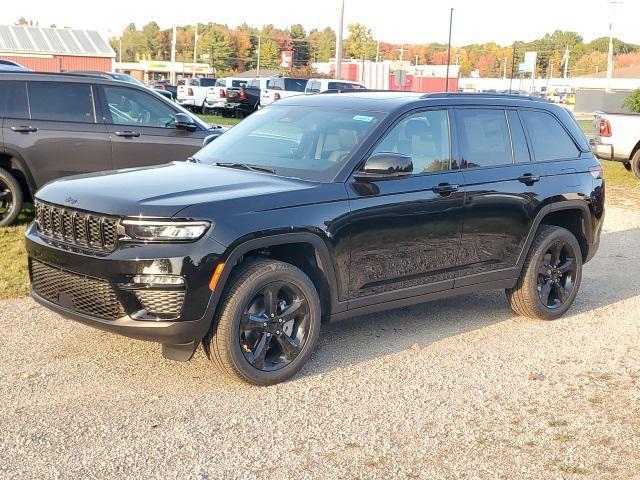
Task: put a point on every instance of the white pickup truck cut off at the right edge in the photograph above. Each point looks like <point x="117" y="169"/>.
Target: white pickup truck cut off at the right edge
<point x="616" y="136"/>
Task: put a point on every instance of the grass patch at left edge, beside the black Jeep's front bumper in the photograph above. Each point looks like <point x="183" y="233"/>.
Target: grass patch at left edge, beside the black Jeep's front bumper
<point x="14" y="280"/>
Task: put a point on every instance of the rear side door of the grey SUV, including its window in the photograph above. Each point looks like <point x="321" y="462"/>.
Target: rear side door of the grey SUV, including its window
<point x="57" y="134"/>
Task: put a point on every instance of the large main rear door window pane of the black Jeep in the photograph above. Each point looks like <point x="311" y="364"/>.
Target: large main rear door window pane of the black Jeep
<point x="484" y="137"/>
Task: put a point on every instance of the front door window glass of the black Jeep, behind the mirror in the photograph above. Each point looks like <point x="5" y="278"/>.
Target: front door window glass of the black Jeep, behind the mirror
<point x="424" y="137"/>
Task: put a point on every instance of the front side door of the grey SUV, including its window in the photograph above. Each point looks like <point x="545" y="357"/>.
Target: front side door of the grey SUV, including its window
<point x="143" y="130"/>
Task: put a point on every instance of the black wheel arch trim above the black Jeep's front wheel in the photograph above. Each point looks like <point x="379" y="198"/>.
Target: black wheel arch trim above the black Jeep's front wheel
<point x="322" y="252"/>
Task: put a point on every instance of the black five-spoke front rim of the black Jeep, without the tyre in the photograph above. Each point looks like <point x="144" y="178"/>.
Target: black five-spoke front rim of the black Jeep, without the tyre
<point x="274" y="326"/>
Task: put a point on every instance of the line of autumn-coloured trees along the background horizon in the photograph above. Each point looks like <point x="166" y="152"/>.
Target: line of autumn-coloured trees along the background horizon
<point x="231" y="50"/>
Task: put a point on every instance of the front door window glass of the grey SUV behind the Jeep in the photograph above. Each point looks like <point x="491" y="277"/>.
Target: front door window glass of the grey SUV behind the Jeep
<point x="128" y="106"/>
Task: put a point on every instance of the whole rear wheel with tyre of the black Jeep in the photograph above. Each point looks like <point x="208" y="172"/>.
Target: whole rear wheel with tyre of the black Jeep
<point x="551" y="275"/>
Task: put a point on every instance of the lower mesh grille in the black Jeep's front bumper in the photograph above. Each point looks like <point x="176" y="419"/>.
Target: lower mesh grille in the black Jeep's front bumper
<point x="80" y="293"/>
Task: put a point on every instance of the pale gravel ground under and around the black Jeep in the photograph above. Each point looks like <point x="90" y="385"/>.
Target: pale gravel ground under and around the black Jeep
<point x="460" y="388"/>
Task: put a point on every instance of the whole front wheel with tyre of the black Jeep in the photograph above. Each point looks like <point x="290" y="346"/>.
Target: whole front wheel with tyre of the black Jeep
<point x="268" y="325"/>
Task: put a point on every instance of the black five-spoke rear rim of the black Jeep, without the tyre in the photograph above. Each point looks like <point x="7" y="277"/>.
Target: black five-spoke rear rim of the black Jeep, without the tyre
<point x="556" y="274"/>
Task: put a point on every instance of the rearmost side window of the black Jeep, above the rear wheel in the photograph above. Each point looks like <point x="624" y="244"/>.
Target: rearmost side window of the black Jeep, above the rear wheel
<point x="548" y="139"/>
